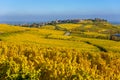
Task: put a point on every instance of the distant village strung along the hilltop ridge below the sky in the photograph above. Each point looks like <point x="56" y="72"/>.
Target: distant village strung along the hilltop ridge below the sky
<point x="38" y="25"/>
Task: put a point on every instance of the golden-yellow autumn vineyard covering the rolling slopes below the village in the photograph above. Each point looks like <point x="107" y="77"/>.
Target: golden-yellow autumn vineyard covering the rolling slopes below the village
<point x="46" y="53"/>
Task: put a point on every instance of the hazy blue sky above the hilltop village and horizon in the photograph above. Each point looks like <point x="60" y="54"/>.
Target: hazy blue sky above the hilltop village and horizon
<point x="53" y="9"/>
